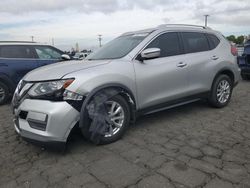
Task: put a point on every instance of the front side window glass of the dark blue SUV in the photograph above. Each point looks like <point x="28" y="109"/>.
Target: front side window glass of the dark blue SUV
<point x="46" y="52"/>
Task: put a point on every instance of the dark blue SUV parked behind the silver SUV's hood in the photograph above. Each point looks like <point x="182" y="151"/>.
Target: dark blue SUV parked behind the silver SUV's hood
<point x="18" y="58"/>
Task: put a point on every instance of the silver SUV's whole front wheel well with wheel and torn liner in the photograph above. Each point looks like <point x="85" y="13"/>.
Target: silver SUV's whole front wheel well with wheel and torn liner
<point x="104" y="115"/>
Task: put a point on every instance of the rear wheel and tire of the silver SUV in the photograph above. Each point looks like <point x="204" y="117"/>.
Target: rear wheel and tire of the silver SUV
<point x="220" y="96"/>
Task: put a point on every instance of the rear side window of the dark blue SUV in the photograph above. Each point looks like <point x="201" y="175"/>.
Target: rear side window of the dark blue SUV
<point x="16" y="52"/>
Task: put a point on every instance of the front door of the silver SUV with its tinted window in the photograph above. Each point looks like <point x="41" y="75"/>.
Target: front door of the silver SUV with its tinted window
<point x="162" y="79"/>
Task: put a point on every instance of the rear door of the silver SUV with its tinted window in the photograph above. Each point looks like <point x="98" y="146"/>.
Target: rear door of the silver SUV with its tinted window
<point x="200" y="61"/>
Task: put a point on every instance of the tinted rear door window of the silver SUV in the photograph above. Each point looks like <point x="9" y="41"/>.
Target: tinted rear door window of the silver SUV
<point x="195" y="42"/>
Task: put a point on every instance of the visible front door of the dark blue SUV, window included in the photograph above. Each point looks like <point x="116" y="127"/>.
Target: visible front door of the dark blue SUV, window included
<point x="47" y="55"/>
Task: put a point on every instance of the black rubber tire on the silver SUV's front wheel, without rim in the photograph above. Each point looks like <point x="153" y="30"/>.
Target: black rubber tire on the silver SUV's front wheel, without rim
<point x="111" y="138"/>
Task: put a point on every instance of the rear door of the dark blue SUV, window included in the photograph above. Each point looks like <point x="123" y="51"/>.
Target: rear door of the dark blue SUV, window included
<point x="16" y="61"/>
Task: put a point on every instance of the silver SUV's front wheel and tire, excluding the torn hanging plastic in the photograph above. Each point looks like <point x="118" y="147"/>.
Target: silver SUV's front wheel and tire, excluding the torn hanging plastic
<point x="119" y="115"/>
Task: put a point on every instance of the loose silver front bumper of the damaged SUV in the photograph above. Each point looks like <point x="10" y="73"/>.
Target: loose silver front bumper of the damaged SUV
<point x="45" y="121"/>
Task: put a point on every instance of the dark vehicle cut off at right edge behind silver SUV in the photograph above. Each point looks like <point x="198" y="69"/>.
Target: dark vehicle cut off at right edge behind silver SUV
<point x="244" y="62"/>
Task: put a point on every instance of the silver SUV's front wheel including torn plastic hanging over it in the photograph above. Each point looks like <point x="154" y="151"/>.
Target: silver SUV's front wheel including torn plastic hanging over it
<point x="117" y="118"/>
